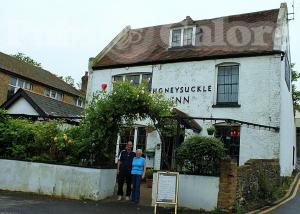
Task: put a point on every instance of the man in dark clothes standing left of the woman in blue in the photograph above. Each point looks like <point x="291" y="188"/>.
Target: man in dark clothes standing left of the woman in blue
<point x="124" y="170"/>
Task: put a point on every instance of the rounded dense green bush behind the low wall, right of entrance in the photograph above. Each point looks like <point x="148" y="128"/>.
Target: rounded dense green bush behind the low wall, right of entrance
<point x="200" y="155"/>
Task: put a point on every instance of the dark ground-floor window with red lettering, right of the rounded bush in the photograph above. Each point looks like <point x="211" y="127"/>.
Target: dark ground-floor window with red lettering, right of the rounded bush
<point x="230" y="136"/>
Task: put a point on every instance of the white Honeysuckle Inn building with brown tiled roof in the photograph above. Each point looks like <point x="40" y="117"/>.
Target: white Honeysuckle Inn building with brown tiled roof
<point x="235" y="67"/>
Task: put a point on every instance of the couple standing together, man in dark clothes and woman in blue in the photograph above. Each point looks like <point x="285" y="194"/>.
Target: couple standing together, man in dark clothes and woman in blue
<point x="131" y="168"/>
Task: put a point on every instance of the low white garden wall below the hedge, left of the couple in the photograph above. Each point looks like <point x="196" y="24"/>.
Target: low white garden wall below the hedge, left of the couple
<point x="57" y="180"/>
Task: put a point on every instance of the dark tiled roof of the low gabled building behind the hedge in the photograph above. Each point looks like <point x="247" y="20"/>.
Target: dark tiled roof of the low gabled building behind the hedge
<point x="45" y="106"/>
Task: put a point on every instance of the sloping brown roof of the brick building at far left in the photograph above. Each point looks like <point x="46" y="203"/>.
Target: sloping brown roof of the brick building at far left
<point x="16" y="67"/>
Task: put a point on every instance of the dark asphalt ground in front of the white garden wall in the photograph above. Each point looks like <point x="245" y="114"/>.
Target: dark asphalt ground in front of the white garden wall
<point x="21" y="203"/>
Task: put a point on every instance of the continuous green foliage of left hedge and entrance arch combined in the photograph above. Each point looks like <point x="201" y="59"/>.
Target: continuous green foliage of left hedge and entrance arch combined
<point x="93" y="141"/>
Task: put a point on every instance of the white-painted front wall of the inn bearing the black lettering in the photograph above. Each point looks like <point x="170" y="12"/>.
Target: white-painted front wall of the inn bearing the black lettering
<point x="259" y="96"/>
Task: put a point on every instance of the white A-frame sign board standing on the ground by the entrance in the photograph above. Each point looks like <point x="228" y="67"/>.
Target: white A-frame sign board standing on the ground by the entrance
<point x="166" y="189"/>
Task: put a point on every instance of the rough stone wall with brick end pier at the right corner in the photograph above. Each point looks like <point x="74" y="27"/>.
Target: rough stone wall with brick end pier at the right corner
<point x="247" y="183"/>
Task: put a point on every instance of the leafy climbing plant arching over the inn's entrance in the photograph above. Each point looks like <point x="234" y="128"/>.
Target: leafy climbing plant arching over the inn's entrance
<point x="109" y="112"/>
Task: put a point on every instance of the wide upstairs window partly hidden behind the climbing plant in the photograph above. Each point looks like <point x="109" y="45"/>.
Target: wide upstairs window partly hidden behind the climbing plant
<point x="135" y="79"/>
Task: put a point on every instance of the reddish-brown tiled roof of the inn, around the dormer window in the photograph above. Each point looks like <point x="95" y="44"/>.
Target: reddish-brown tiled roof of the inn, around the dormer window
<point x="151" y="44"/>
